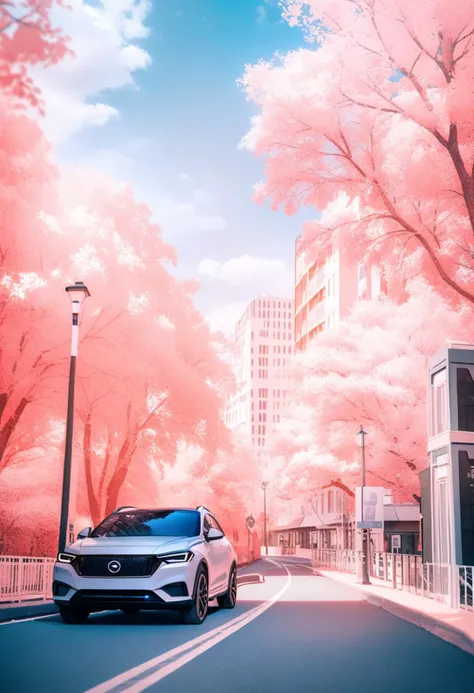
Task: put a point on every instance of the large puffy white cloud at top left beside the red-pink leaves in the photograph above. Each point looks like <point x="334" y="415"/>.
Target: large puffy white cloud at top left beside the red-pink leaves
<point x="103" y="38"/>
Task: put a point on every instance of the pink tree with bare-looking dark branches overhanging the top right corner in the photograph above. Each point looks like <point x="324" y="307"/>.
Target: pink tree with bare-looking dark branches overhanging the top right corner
<point x="376" y="121"/>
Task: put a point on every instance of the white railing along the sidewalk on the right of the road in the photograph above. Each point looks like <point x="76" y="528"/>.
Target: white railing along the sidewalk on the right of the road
<point x="451" y="585"/>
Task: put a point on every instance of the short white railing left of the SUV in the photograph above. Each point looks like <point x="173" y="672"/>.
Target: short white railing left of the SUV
<point x="25" y="578"/>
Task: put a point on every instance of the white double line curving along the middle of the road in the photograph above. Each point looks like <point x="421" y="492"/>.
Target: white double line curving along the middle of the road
<point x="126" y="682"/>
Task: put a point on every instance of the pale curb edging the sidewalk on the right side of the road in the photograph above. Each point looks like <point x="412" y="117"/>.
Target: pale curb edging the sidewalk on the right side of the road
<point x="441" y="630"/>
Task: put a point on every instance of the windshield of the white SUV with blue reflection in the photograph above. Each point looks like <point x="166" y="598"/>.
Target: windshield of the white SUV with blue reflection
<point x="150" y="523"/>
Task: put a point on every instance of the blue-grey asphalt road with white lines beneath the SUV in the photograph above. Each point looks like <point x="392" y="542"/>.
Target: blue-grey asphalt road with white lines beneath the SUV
<point x="295" y="632"/>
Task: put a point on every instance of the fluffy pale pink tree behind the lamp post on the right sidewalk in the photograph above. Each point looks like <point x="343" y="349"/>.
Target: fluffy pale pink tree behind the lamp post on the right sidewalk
<point x="370" y="370"/>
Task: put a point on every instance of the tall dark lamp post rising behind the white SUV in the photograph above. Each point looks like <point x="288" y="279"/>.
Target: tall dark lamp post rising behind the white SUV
<point x="77" y="293"/>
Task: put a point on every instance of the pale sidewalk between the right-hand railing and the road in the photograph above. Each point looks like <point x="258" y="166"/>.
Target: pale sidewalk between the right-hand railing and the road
<point x="456" y="627"/>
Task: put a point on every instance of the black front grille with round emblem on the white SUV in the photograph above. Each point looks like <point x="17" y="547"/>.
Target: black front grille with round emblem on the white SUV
<point x="106" y="566"/>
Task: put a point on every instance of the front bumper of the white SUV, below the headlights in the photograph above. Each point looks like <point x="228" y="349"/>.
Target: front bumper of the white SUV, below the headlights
<point x="170" y="587"/>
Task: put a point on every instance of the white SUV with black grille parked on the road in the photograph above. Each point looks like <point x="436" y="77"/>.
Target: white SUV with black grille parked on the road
<point x="147" y="559"/>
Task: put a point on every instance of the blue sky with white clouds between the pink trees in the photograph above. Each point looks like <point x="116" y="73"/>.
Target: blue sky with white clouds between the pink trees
<point x="173" y="116"/>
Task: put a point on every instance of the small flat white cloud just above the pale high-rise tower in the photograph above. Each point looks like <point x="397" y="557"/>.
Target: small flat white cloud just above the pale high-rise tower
<point x="257" y="274"/>
